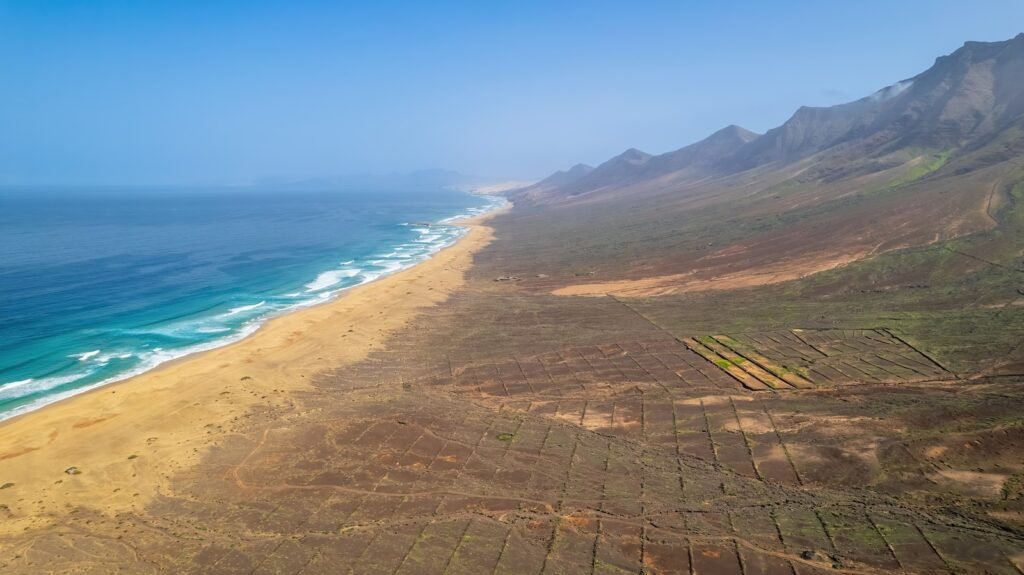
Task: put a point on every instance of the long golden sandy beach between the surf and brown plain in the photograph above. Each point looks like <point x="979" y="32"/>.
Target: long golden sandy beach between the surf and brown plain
<point x="125" y="440"/>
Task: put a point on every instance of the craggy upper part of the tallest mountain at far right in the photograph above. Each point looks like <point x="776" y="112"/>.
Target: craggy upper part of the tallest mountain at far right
<point x="963" y="100"/>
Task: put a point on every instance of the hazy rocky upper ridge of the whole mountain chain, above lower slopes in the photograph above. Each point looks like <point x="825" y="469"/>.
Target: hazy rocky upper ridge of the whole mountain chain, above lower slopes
<point x="960" y="105"/>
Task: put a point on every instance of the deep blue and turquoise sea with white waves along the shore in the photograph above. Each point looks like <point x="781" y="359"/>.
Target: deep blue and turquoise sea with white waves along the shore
<point x="101" y="285"/>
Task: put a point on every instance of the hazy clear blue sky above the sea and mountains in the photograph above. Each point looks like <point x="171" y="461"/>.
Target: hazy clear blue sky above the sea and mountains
<point x="136" y="93"/>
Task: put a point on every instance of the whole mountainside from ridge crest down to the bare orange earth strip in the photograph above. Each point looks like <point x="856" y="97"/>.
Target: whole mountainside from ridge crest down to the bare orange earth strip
<point x="921" y="162"/>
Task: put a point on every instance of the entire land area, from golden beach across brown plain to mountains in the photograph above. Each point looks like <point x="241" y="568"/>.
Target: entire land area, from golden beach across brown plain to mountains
<point x="794" y="353"/>
